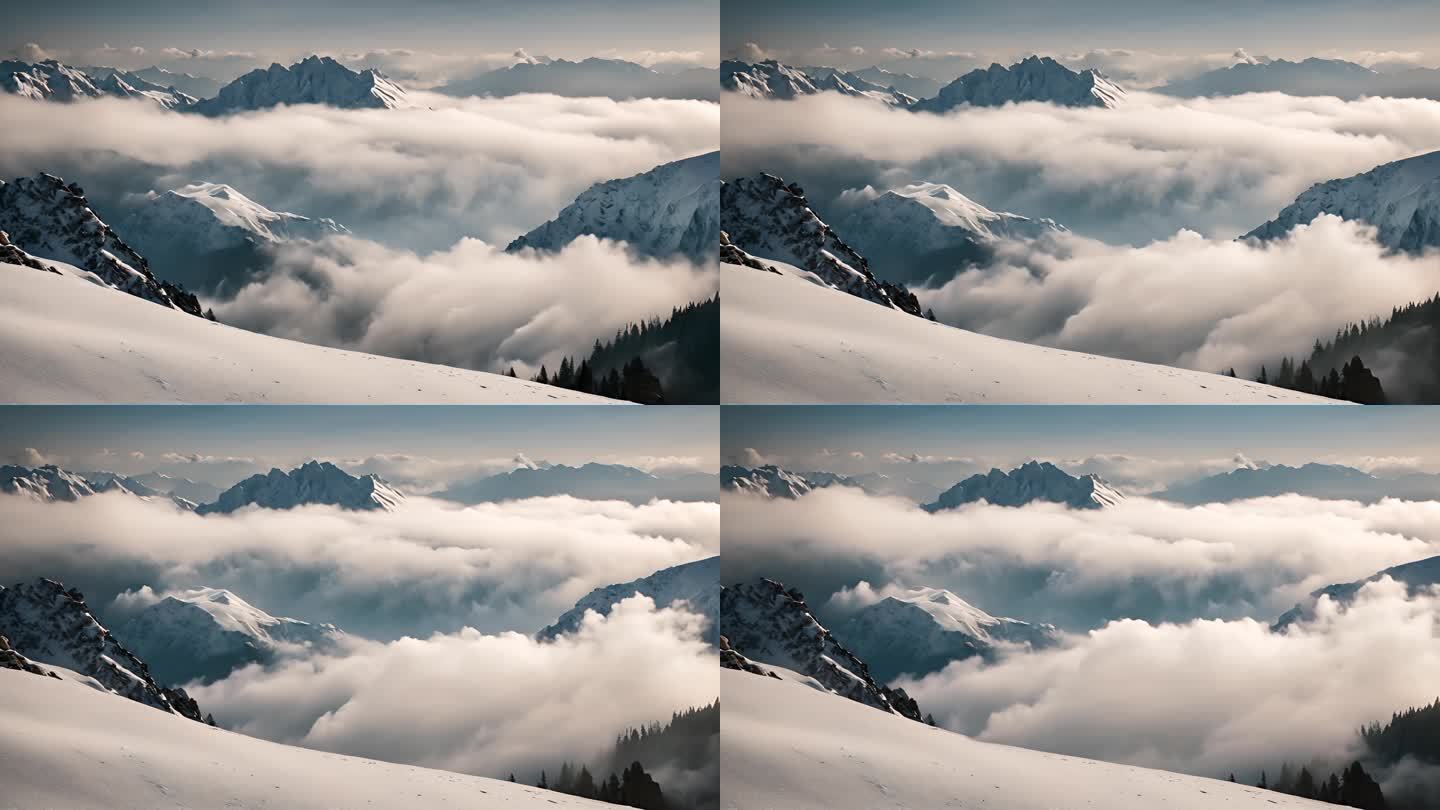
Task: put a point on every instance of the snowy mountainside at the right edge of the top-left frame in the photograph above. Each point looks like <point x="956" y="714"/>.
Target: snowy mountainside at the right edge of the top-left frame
<point x="667" y="211"/>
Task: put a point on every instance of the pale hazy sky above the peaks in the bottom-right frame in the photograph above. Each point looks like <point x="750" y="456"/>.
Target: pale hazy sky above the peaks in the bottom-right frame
<point x="1016" y="435"/>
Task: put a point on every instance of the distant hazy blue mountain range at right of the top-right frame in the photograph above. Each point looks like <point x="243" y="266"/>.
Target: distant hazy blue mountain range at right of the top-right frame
<point x="1308" y="77"/>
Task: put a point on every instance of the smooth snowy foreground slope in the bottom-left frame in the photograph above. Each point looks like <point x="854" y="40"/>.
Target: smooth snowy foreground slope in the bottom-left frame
<point x="70" y="747"/>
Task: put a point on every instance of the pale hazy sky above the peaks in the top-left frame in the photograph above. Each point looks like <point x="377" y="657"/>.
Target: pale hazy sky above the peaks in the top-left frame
<point x="273" y="30"/>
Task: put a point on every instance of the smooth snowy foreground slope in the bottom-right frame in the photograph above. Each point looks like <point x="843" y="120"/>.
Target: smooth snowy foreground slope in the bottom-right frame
<point x="791" y="747"/>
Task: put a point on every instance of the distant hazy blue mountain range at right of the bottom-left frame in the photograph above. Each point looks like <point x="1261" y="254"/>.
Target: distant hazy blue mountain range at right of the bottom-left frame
<point x="591" y="482"/>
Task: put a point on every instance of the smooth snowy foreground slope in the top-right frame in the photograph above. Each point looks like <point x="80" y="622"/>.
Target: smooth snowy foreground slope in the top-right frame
<point x="784" y="338"/>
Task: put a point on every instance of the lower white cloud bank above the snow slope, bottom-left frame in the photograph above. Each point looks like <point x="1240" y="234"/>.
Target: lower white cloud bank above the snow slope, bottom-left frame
<point x="482" y="704"/>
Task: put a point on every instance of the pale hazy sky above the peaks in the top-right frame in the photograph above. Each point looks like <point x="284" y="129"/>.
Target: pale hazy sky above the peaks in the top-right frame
<point x="1284" y="28"/>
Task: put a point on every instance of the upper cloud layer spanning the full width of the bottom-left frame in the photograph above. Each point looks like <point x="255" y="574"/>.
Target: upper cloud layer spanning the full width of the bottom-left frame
<point x="428" y="567"/>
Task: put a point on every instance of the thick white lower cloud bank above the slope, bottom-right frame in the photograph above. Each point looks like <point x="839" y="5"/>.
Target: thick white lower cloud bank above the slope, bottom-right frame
<point x="1206" y="697"/>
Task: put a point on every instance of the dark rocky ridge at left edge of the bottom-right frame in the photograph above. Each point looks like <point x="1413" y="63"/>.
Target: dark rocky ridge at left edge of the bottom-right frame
<point x="770" y="625"/>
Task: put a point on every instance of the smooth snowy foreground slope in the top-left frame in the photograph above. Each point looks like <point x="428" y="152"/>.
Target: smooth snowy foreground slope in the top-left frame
<point x="66" y="339"/>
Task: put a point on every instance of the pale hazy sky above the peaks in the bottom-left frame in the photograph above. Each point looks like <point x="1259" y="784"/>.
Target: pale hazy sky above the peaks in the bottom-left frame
<point x="224" y="443"/>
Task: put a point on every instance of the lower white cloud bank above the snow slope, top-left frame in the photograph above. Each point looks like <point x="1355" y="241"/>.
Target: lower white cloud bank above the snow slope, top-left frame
<point x="473" y="306"/>
